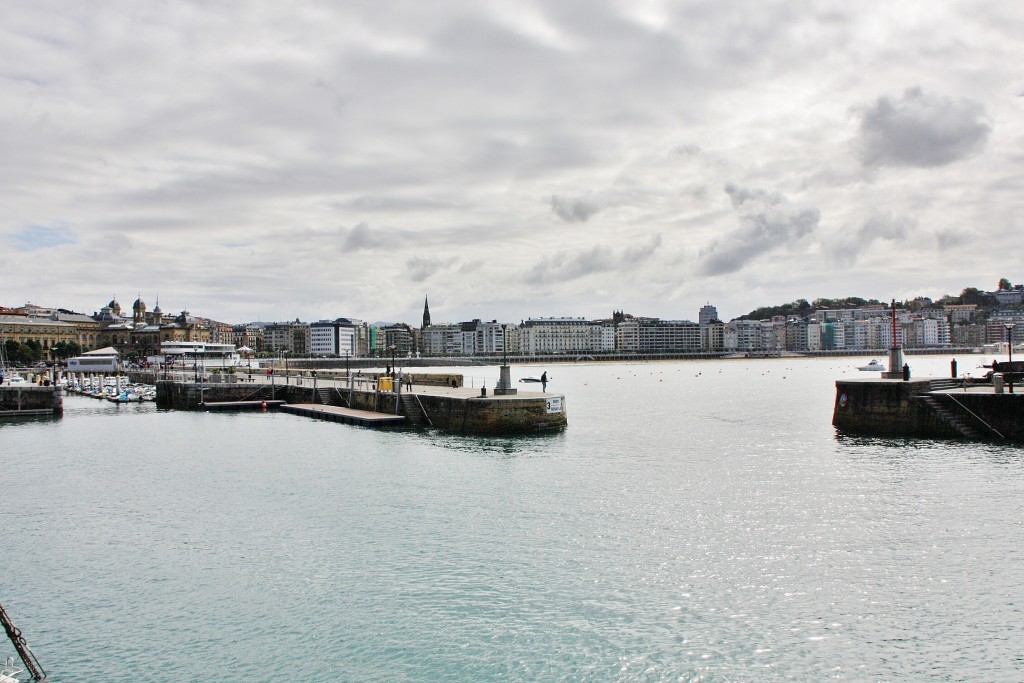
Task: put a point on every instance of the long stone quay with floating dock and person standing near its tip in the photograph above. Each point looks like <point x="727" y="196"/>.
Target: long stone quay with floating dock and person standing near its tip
<point x="433" y="401"/>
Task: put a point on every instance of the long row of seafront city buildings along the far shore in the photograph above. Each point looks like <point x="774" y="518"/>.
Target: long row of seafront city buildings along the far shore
<point x="141" y="332"/>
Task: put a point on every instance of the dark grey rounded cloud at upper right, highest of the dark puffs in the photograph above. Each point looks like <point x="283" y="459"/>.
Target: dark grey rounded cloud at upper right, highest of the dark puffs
<point x="921" y="131"/>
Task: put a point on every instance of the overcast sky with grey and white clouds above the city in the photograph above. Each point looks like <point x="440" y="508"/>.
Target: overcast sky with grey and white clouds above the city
<point x="509" y="159"/>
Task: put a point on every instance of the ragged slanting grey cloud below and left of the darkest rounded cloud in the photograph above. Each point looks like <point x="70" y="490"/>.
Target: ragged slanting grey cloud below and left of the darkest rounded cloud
<point x="767" y="223"/>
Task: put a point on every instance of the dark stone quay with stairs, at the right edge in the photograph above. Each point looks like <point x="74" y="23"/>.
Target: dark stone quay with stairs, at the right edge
<point x="930" y="408"/>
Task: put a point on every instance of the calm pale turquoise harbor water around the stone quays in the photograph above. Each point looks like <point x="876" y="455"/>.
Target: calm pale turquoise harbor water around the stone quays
<point x="698" y="522"/>
